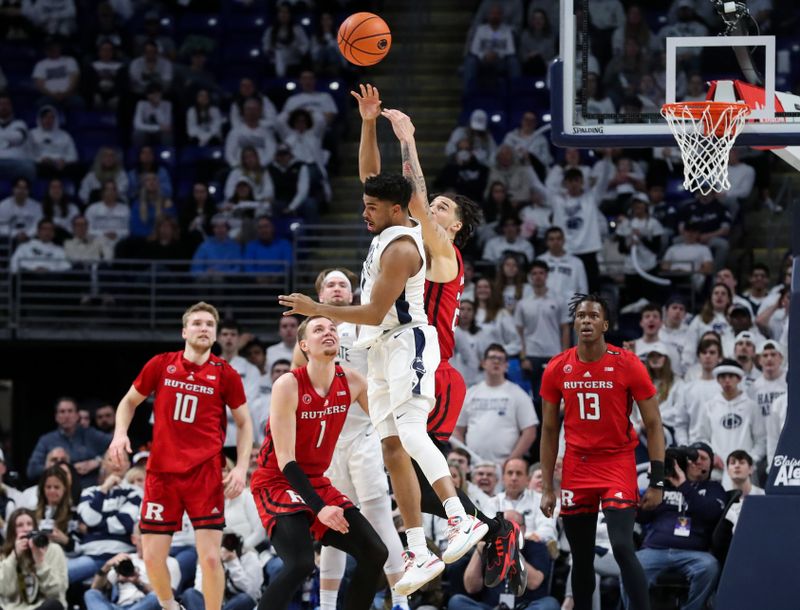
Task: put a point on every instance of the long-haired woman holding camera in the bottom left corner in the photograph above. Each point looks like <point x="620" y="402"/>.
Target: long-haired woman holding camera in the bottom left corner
<point x="33" y="572"/>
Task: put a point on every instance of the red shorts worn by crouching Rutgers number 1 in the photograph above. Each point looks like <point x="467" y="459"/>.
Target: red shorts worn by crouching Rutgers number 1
<point x="276" y="498"/>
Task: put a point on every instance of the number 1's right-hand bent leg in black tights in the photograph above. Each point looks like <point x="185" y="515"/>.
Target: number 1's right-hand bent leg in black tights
<point x="363" y="543"/>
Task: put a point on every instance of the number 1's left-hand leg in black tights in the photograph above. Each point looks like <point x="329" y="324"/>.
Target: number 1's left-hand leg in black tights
<point x="291" y="537"/>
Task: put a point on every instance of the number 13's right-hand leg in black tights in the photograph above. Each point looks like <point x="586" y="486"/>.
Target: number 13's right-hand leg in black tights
<point x="620" y="534"/>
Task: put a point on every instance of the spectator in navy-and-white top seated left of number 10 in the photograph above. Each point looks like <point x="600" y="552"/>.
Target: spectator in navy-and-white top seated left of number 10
<point x="109" y="512"/>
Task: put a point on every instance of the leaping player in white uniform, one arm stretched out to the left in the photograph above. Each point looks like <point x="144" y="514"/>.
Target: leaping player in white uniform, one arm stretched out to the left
<point x="401" y="364"/>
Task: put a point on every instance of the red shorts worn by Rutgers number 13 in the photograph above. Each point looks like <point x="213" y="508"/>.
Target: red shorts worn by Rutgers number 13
<point x="591" y="481"/>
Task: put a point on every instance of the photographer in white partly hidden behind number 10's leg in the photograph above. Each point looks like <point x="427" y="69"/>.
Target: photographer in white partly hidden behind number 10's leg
<point x="243" y="578"/>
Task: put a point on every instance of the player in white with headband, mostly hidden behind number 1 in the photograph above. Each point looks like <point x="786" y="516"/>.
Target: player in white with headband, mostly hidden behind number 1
<point x="357" y="465"/>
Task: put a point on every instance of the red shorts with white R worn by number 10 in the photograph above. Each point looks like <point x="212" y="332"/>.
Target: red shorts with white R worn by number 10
<point x="199" y="492"/>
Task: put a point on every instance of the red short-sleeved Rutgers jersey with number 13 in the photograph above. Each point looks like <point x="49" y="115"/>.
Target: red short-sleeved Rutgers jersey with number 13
<point x="598" y="397"/>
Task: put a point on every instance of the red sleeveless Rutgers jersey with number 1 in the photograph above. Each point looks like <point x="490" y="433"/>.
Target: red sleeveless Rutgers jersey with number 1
<point x="319" y="421"/>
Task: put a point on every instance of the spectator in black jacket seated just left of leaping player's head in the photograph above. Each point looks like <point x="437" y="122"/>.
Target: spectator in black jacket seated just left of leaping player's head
<point x="292" y="183"/>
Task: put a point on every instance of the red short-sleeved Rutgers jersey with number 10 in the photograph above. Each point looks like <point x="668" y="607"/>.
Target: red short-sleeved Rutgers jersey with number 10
<point x="189" y="411"/>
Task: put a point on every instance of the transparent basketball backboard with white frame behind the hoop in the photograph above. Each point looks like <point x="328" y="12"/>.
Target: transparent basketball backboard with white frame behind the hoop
<point x="632" y="71"/>
